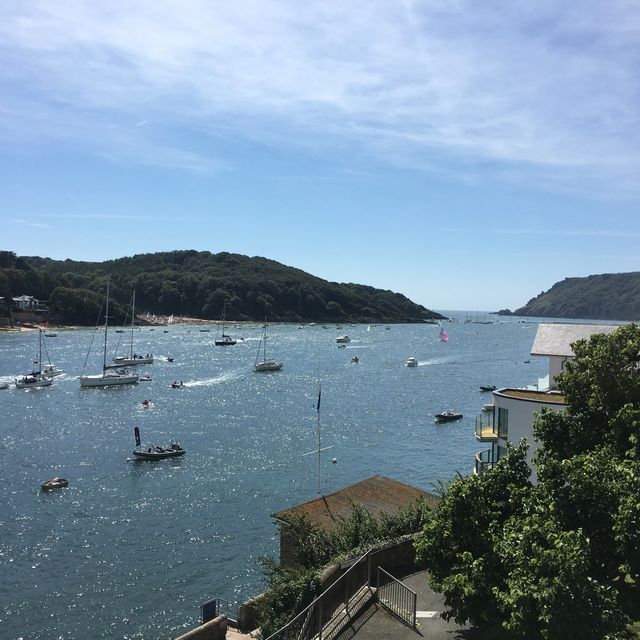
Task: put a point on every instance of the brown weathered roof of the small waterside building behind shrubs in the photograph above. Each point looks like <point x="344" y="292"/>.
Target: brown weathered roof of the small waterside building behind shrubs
<point x="377" y="494"/>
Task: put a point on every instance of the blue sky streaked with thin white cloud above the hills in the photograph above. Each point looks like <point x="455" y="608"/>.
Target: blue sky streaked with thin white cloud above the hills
<point x="467" y="154"/>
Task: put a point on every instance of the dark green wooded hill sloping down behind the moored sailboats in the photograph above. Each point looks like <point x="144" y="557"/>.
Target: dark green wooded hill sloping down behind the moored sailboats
<point x="196" y="284"/>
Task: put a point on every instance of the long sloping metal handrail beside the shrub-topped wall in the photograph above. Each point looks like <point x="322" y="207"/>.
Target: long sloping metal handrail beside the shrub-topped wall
<point x="307" y="630"/>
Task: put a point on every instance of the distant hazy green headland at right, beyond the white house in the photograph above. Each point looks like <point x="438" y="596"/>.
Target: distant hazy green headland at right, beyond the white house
<point x="610" y="296"/>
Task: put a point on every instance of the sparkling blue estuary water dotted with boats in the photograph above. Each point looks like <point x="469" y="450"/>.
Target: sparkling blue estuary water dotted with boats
<point x="131" y="549"/>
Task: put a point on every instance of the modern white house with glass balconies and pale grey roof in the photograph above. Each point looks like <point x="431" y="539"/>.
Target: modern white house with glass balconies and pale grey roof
<point x="510" y="416"/>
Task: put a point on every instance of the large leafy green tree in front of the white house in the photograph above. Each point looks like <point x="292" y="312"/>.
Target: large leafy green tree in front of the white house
<point x="560" y="559"/>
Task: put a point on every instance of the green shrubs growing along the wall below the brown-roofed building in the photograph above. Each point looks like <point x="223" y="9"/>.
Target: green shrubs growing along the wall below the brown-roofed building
<point x="291" y="589"/>
